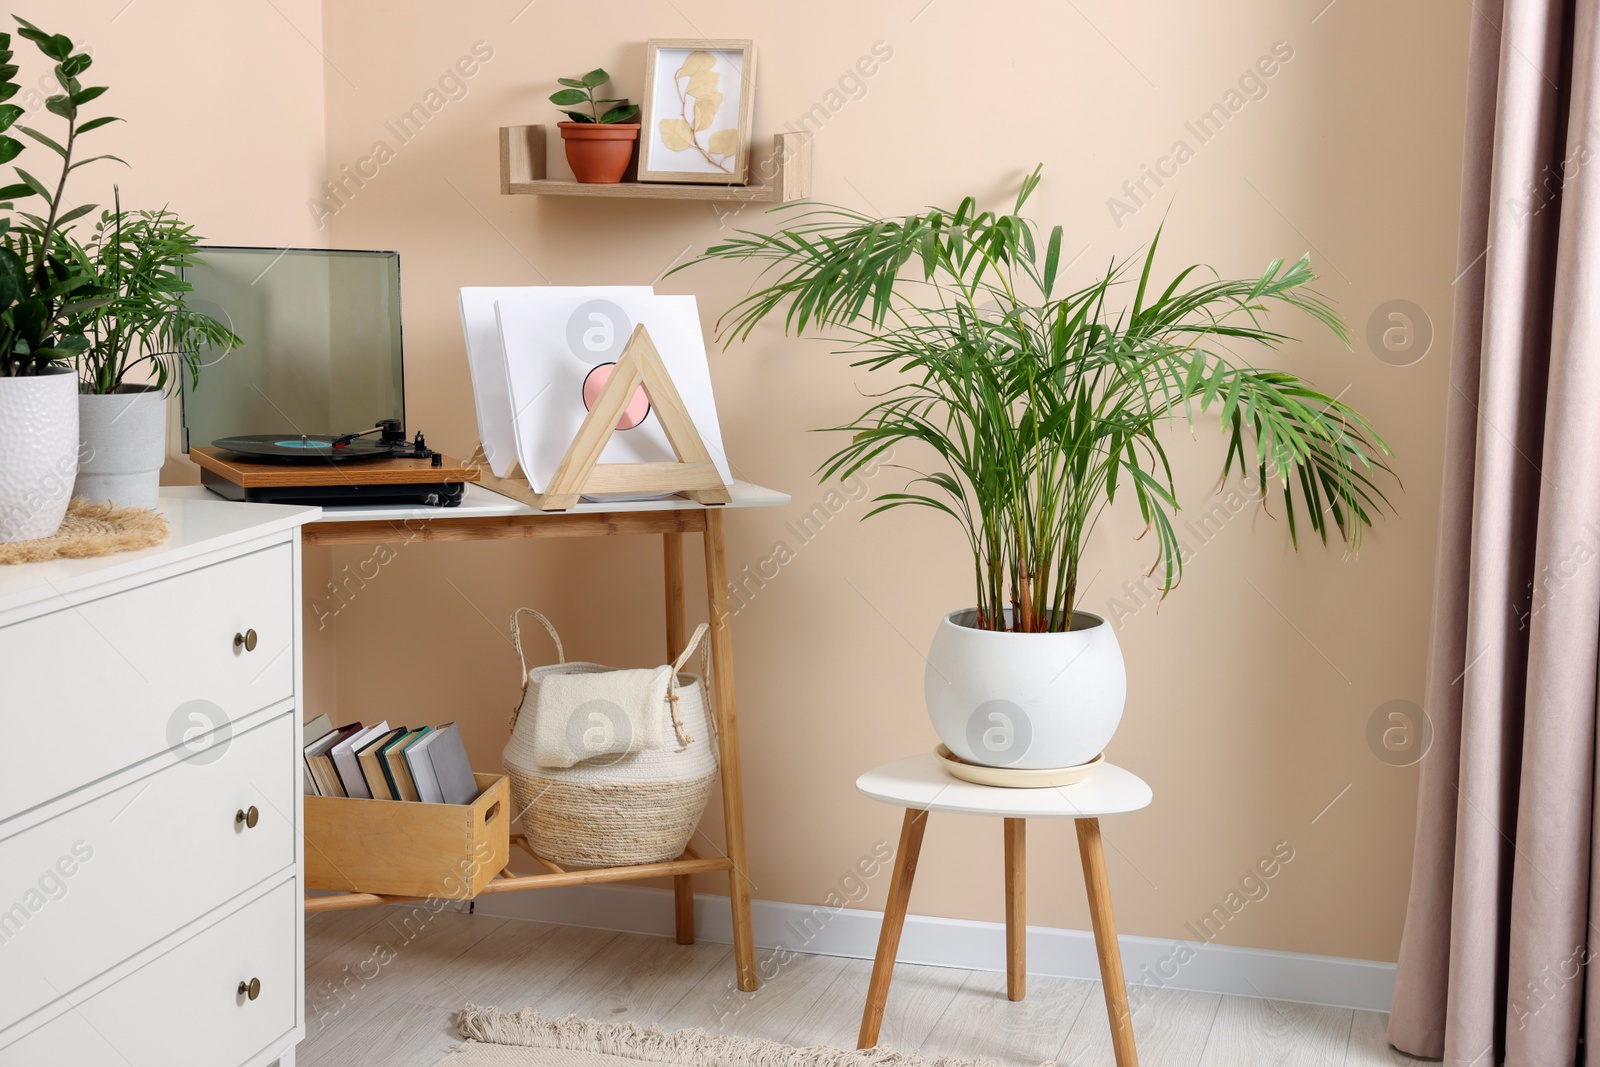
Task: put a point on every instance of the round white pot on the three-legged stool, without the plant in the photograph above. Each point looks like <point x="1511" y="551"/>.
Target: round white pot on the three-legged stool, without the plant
<point x="1028" y="701"/>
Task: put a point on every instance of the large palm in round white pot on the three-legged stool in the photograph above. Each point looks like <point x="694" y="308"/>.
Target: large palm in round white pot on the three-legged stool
<point x="1038" y="409"/>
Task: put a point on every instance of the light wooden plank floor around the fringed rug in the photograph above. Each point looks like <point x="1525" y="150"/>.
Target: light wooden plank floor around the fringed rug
<point x="382" y="986"/>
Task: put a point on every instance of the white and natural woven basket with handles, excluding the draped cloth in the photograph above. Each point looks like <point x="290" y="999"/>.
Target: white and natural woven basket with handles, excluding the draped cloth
<point x="612" y="812"/>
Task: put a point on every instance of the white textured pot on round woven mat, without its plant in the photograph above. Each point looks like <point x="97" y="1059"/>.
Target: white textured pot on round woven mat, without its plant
<point x="39" y="454"/>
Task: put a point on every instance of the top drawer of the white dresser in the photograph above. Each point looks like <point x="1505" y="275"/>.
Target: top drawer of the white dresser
<point x="95" y="689"/>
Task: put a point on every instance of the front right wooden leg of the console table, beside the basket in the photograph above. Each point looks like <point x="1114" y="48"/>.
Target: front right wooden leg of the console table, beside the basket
<point x="729" y="746"/>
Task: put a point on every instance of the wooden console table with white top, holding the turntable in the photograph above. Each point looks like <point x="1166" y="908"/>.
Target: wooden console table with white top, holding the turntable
<point x="487" y="516"/>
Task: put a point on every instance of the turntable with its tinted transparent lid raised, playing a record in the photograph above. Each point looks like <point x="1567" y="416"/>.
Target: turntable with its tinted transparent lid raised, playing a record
<point x="322" y="351"/>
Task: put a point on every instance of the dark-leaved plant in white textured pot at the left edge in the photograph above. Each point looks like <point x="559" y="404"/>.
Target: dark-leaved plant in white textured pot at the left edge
<point x="41" y="294"/>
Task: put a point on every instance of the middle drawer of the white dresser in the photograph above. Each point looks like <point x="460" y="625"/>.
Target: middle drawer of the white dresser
<point x="95" y="885"/>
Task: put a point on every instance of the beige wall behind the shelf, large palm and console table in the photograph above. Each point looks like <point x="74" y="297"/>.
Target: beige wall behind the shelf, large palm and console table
<point x="1250" y="690"/>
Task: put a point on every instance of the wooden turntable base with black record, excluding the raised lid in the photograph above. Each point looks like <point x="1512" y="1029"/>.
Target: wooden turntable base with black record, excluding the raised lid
<point x="334" y="471"/>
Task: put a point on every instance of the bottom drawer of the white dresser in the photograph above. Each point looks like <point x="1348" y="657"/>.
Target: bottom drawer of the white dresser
<point x="185" y="1010"/>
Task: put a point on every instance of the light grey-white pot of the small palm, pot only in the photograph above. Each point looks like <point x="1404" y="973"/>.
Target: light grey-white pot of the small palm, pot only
<point x="124" y="447"/>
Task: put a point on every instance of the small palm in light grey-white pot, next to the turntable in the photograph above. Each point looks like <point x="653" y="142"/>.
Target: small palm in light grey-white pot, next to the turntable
<point x="142" y="340"/>
